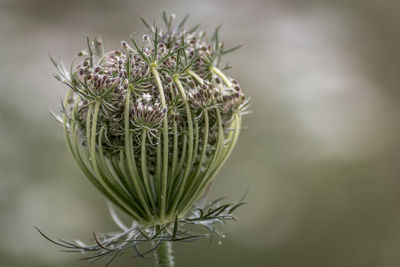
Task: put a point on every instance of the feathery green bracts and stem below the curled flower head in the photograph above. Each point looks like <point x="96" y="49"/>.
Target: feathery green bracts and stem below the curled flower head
<point x="147" y="239"/>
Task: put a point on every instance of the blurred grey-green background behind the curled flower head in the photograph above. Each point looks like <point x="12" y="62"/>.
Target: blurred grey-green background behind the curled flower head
<point x="319" y="154"/>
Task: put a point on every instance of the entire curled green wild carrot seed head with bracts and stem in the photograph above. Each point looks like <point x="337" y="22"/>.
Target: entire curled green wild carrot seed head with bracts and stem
<point x="150" y="126"/>
